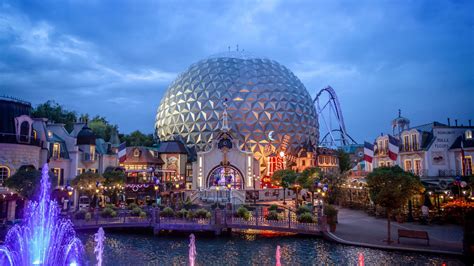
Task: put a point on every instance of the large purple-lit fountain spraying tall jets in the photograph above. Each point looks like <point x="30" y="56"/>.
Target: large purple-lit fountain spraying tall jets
<point x="44" y="238"/>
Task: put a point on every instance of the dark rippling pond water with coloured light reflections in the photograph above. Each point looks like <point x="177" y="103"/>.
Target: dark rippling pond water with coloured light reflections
<point x="244" y="249"/>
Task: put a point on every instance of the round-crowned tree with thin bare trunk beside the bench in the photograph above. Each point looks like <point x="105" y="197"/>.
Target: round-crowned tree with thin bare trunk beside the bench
<point x="391" y="188"/>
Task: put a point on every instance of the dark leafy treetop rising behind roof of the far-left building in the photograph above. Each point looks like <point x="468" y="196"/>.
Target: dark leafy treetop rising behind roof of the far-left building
<point x="55" y="112"/>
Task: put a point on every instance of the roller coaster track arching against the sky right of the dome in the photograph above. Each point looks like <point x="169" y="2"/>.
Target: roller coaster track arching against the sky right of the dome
<point x="330" y="113"/>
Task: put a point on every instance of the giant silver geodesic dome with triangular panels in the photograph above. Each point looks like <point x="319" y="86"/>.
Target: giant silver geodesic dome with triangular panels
<point x="266" y="102"/>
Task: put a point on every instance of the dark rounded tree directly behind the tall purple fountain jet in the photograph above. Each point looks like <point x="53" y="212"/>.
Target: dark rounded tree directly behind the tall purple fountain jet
<point x="26" y="181"/>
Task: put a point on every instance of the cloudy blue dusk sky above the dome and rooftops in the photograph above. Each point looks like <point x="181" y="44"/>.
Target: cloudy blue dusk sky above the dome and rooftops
<point x="116" y="58"/>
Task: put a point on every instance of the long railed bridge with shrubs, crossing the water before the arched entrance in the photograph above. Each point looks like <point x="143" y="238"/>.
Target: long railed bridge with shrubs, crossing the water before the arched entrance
<point x="220" y="220"/>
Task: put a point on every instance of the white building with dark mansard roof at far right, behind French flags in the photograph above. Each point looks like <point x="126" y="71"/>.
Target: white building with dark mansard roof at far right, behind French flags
<point x="431" y="151"/>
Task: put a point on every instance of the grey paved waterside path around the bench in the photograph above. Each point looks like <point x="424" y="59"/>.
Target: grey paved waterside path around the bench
<point x="360" y="229"/>
